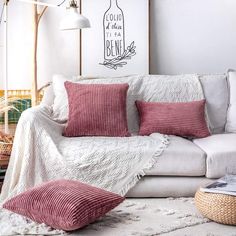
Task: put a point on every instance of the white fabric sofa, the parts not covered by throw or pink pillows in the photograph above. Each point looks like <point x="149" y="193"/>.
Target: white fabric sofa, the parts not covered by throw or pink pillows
<point x="186" y="164"/>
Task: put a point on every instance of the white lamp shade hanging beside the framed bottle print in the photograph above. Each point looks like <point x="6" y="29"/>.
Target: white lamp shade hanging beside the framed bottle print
<point x="73" y="20"/>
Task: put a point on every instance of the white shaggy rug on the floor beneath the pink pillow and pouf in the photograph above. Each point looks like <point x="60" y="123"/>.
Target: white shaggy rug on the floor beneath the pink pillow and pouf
<point x="134" y="217"/>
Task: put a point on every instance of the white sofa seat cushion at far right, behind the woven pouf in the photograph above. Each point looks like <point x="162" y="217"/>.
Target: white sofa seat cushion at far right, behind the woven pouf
<point x="221" y="153"/>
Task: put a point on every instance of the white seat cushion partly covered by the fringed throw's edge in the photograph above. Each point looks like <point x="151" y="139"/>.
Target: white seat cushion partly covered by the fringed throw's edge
<point x="181" y="158"/>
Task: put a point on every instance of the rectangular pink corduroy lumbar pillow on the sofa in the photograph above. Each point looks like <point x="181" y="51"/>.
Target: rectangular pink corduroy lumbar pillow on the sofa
<point x="186" y="119"/>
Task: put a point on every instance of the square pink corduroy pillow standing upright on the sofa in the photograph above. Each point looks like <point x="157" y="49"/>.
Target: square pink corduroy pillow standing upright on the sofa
<point x="97" y="110"/>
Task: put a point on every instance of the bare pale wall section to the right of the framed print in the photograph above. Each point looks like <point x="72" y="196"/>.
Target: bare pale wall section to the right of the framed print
<point x="189" y="36"/>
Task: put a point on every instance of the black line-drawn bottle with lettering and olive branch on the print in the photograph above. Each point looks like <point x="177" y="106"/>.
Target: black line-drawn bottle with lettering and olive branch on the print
<point x="115" y="52"/>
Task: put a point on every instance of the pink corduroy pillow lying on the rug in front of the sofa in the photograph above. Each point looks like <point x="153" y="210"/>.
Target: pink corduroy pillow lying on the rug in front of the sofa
<point x="64" y="204"/>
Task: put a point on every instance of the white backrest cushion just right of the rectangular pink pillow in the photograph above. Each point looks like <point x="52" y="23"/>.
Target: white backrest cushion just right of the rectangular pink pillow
<point x="216" y="94"/>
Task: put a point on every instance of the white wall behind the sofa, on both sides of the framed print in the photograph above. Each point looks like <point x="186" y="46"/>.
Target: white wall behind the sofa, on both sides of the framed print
<point x="187" y="36"/>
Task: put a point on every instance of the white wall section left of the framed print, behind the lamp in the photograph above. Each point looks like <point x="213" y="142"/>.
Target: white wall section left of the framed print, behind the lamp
<point x="58" y="50"/>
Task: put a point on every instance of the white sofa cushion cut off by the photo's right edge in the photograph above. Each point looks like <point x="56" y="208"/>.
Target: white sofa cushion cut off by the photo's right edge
<point x="231" y="116"/>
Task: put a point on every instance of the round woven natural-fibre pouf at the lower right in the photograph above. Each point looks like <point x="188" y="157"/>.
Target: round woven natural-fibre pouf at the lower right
<point x="220" y="208"/>
